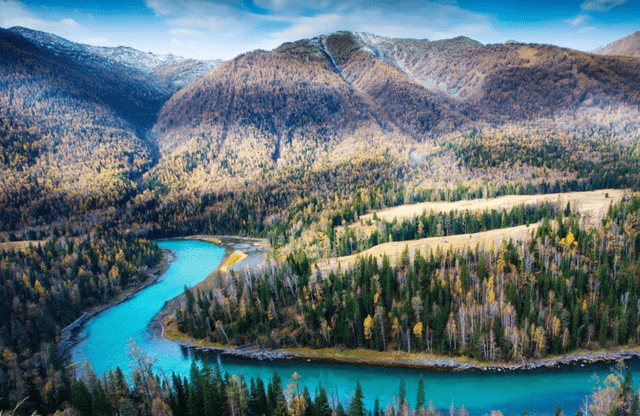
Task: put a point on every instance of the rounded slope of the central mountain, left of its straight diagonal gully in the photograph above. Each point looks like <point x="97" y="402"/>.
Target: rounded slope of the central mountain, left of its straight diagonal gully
<point x="261" y="111"/>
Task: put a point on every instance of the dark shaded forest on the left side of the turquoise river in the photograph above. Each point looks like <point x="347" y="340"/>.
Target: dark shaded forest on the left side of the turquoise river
<point x="47" y="287"/>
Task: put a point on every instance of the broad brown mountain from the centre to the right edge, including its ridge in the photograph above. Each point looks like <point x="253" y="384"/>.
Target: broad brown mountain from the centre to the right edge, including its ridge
<point x="315" y="99"/>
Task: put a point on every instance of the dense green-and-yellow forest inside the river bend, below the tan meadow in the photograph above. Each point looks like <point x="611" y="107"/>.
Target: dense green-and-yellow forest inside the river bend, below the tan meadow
<point x="566" y="288"/>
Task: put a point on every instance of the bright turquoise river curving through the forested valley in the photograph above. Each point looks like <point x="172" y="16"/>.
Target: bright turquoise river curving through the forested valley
<point x="105" y="339"/>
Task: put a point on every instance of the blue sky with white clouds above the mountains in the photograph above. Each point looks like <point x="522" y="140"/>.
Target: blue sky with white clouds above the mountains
<point x="221" y="29"/>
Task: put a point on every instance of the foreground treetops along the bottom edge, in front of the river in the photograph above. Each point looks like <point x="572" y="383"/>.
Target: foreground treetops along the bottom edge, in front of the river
<point x="209" y="392"/>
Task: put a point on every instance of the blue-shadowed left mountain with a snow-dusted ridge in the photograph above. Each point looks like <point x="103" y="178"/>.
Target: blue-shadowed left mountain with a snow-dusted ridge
<point x="73" y="122"/>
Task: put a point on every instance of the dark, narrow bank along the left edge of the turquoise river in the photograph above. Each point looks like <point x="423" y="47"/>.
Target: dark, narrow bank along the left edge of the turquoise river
<point x="68" y="334"/>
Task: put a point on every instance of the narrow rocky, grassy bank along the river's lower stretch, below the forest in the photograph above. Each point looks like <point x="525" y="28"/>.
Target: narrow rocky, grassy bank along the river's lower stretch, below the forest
<point x="394" y="359"/>
